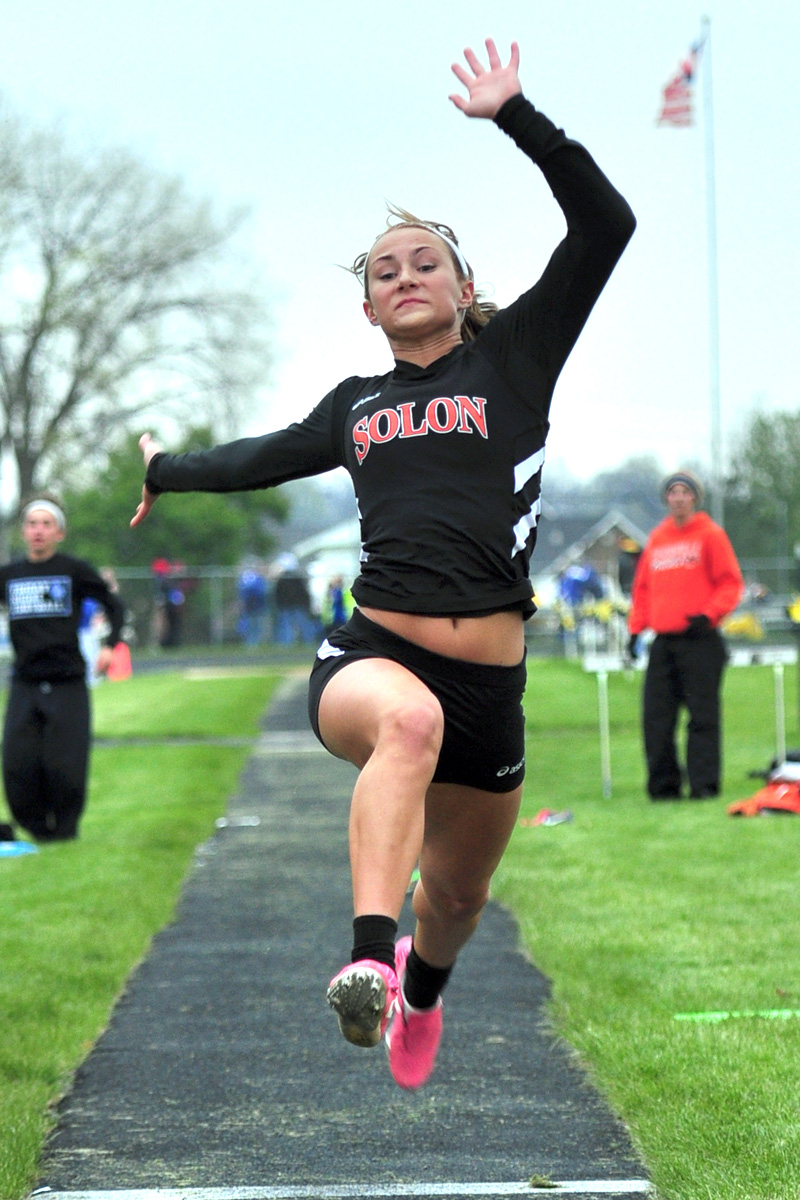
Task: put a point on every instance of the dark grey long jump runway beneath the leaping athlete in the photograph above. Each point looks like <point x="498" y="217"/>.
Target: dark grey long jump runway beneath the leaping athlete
<point x="222" y="1075"/>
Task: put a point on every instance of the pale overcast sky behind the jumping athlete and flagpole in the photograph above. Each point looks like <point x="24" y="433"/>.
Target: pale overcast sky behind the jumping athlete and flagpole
<point x="315" y="113"/>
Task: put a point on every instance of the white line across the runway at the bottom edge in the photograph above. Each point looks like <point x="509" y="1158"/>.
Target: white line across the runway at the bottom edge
<point x="363" y="1192"/>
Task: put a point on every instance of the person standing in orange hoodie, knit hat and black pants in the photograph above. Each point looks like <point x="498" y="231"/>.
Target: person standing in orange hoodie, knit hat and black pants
<point x="687" y="581"/>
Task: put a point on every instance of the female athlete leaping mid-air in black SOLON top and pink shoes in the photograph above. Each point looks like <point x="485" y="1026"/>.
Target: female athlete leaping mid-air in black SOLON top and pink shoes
<point x="423" y="688"/>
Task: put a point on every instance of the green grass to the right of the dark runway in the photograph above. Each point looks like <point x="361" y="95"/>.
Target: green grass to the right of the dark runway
<point x="640" y="911"/>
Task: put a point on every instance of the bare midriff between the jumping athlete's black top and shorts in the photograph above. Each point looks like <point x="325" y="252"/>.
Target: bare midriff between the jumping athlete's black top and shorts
<point x="497" y="640"/>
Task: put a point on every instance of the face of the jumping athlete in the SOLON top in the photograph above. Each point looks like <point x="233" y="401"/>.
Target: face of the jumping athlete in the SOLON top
<point x="414" y="292"/>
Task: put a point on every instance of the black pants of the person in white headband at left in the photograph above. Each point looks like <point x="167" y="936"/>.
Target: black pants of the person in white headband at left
<point x="46" y="757"/>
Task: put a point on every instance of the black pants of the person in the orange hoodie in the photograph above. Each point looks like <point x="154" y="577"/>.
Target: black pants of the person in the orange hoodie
<point x="684" y="671"/>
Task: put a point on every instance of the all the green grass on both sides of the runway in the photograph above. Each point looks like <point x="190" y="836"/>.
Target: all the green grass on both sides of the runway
<point x="635" y="911"/>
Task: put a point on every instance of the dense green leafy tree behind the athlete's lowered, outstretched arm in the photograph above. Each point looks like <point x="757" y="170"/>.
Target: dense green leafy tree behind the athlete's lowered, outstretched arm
<point x="197" y="529"/>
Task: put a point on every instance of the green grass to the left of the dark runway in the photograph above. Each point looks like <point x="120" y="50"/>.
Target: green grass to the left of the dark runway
<point x="77" y="917"/>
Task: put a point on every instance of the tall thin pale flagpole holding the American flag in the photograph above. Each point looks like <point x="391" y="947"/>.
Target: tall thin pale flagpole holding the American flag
<point x="718" y="499"/>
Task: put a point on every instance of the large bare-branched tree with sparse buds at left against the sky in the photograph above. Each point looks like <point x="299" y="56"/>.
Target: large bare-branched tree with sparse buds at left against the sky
<point x="119" y="298"/>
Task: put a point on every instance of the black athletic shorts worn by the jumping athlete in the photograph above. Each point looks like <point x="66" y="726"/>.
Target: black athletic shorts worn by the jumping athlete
<point x="484" y="741"/>
